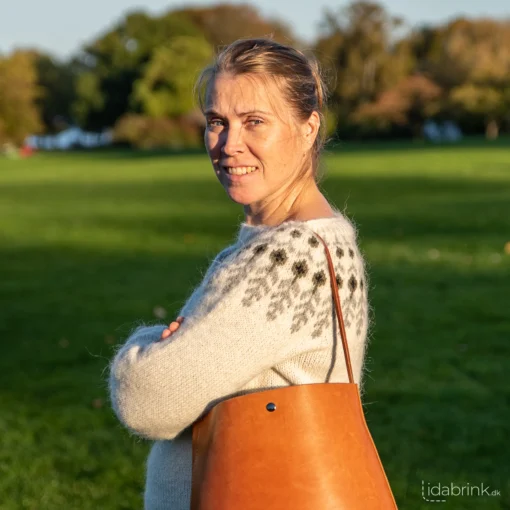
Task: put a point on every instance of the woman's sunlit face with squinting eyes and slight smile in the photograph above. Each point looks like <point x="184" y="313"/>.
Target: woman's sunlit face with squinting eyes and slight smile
<point x="250" y="128"/>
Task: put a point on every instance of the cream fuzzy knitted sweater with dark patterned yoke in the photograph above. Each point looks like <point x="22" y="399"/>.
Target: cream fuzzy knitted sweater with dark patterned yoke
<point x="263" y="317"/>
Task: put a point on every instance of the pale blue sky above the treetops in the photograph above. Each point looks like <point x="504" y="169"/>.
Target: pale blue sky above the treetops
<point x="62" y="27"/>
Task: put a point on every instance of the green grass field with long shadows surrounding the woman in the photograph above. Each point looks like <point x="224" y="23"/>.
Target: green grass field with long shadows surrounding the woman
<point x="92" y="243"/>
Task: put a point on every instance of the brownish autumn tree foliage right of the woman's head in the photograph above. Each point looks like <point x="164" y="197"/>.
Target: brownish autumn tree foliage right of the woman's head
<point x="372" y="66"/>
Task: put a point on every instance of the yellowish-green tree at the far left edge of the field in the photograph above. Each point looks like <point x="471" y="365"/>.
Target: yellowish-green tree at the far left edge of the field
<point x="19" y="116"/>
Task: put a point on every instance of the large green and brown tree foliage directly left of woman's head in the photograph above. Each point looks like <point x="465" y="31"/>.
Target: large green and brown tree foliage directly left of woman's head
<point x="139" y="65"/>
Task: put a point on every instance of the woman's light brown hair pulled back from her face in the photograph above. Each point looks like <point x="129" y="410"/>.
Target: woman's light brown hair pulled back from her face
<point x="298" y="76"/>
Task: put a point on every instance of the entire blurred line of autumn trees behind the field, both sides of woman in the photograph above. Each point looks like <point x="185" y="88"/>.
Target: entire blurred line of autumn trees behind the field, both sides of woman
<point x="385" y="80"/>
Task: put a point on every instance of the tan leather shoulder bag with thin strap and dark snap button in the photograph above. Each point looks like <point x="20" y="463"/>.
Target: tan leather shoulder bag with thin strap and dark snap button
<point x="301" y="447"/>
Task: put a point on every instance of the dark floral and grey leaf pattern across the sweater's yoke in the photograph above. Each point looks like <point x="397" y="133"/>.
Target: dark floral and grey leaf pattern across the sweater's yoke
<point x="286" y="274"/>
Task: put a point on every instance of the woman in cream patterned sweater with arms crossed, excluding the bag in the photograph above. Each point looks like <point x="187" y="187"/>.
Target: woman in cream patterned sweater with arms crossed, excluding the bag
<point x="263" y="316"/>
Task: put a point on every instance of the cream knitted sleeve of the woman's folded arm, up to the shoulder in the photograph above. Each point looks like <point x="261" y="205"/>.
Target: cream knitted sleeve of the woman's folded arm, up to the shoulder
<point x="244" y="320"/>
